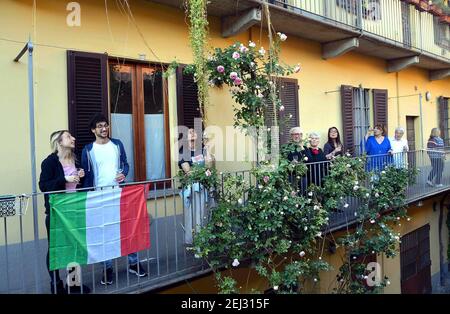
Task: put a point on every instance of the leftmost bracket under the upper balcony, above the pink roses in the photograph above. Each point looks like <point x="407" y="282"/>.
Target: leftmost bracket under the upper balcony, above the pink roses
<point x="236" y="24"/>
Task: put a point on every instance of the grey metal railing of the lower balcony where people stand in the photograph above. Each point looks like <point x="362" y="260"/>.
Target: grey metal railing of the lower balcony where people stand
<point x="22" y="256"/>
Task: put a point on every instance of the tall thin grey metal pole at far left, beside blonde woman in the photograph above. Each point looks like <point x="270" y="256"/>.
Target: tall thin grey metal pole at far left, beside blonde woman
<point x="29" y="47"/>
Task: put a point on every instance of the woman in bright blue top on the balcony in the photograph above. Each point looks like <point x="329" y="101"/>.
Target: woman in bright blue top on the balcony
<point x="377" y="147"/>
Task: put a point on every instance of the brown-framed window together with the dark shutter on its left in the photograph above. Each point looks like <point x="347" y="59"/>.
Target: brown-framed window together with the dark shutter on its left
<point x="138" y="108"/>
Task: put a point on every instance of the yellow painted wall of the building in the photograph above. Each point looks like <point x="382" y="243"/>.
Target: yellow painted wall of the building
<point x="161" y="33"/>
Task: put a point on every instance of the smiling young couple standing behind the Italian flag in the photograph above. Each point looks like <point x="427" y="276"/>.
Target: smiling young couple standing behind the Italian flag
<point x="103" y="164"/>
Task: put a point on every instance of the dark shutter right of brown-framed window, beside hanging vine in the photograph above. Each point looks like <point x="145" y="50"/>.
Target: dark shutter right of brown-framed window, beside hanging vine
<point x="187" y="99"/>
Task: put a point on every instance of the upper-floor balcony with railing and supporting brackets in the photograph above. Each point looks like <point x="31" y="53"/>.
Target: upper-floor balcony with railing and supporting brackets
<point x="394" y="30"/>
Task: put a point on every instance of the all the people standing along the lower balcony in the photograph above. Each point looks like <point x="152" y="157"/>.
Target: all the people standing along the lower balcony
<point x="104" y="164"/>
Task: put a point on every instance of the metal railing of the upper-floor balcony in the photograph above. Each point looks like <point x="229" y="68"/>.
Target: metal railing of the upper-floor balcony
<point x="393" y="21"/>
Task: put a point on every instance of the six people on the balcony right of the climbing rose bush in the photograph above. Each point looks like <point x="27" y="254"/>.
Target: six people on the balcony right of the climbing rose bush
<point x="380" y="150"/>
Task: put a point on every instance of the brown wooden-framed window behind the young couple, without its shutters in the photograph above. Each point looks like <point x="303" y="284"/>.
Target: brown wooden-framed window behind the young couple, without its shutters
<point x="139" y="118"/>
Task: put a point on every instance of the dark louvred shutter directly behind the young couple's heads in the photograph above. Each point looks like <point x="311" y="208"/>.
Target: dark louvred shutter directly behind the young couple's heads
<point x="87" y="93"/>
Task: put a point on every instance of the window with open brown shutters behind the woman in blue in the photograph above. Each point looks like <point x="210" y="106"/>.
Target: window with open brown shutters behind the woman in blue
<point x="356" y="114"/>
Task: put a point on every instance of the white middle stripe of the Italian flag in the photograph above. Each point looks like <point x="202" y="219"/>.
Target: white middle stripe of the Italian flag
<point x="103" y="225"/>
